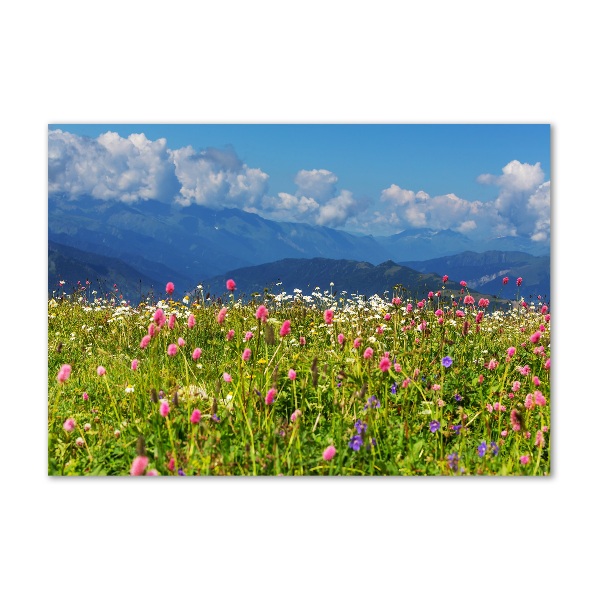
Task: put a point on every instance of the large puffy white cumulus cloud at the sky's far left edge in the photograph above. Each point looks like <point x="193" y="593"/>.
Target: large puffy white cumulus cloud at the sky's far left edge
<point x="110" y="167"/>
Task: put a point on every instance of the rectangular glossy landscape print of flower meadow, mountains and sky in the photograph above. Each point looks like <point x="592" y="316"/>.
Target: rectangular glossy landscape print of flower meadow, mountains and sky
<point x="298" y="300"/>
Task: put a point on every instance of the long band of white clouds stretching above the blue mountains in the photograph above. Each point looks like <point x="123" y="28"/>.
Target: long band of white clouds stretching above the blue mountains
<point x="135" y="169"/>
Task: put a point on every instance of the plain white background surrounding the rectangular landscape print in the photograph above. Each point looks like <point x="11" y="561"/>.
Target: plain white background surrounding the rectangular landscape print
<point x="317" y="62"/>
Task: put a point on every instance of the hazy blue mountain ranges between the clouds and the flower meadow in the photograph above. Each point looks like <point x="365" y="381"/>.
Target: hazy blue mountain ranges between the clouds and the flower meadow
<point x="150" y="242"/>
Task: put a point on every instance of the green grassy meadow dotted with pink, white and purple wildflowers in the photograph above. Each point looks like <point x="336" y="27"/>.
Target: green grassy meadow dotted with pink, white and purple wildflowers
<point x="394" y="389"/>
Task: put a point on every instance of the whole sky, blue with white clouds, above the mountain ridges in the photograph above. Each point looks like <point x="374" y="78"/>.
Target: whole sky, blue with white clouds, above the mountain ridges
<point x="481" y="180"/>
